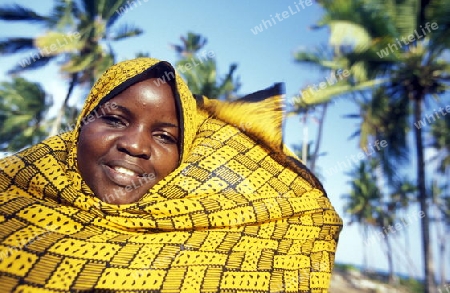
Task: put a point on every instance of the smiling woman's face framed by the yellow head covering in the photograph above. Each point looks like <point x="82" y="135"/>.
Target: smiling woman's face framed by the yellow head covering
<point x="130" y="143"/>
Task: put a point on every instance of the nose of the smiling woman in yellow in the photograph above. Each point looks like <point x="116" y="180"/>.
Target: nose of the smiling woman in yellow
<point x="135" y="143"/>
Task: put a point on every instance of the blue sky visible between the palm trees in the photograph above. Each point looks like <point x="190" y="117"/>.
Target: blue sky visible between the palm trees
<point x="263" y="59"/>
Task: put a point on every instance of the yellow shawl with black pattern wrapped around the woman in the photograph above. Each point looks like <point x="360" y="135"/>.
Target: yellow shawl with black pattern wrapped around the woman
<point x="239" y="214"/>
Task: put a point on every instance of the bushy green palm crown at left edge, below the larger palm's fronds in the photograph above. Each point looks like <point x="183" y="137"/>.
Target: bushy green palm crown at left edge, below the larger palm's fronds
<point x="22" y="110"/>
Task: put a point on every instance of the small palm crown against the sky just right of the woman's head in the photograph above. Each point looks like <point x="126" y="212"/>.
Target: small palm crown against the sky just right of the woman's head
<point x="199" y="68"/>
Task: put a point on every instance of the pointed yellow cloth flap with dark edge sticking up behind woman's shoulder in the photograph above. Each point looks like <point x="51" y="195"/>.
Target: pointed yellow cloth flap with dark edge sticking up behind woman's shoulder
<point x="259" y="115"/>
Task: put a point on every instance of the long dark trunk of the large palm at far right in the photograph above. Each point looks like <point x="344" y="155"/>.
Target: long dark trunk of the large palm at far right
<point x="422" y="198"/>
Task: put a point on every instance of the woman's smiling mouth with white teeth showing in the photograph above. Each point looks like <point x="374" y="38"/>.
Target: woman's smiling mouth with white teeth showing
<point x="123" y="173"/>
